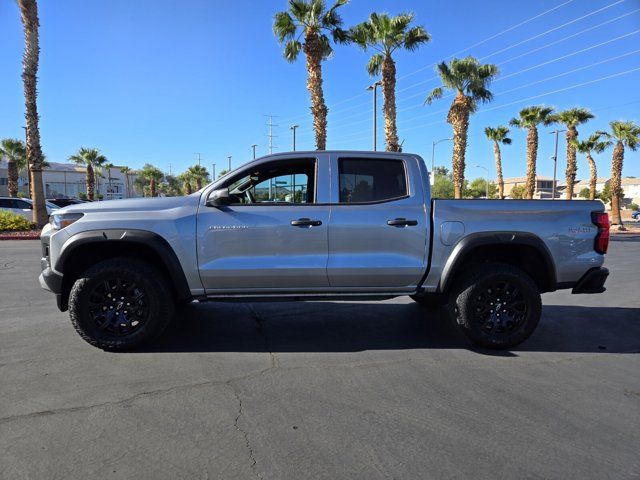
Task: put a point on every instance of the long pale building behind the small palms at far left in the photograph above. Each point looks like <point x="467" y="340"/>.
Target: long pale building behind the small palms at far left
<point x="69" y="180"/>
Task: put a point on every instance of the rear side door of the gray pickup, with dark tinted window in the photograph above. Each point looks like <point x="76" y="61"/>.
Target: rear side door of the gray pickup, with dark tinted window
<point x="378" y="231"/>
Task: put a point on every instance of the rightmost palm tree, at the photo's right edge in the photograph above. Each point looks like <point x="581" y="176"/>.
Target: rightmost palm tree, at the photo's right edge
<point x="624" y="134"/>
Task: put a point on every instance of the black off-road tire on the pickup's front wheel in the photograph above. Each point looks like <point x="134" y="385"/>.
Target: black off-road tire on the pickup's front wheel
<point x="158" y="303"/>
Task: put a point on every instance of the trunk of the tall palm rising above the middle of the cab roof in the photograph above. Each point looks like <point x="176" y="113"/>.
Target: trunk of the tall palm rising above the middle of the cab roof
<point x="313" y="52"/>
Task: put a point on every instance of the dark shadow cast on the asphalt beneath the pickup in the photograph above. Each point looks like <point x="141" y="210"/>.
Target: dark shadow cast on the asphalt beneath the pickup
<point x="354" y="327"/>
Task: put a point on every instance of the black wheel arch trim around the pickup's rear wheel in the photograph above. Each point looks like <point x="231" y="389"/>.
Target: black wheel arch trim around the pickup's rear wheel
<point x="524" y="250"/>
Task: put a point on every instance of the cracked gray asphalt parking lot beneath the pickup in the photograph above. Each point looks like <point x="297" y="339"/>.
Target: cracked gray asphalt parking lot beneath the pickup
<point x="321" y="390"/>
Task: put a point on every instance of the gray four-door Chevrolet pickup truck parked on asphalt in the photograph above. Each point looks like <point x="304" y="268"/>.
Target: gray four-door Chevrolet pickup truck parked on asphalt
<point x="314" y="226"/>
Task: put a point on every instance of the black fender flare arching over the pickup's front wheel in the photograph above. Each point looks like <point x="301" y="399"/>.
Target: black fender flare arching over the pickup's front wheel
<point x="141" y="237"/>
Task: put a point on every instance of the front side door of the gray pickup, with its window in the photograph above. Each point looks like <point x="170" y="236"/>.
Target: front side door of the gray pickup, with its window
<point x="272" y="237"/>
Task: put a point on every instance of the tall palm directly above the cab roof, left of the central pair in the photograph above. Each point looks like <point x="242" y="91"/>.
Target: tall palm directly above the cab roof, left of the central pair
<point x="310" y="20"/>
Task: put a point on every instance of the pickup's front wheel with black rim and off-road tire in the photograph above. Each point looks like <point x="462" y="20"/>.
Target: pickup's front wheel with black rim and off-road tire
<point x="120" y="304"/>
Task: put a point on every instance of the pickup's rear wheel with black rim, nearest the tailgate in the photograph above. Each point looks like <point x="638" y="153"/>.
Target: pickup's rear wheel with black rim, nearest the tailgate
<point x="496" y="306"/>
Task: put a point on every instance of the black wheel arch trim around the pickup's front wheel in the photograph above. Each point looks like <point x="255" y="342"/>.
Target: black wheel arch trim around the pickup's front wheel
<point x="87" y="248"/>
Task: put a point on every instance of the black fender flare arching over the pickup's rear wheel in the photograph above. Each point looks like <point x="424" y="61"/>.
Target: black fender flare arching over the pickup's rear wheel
<point x="474" y="240"/>
